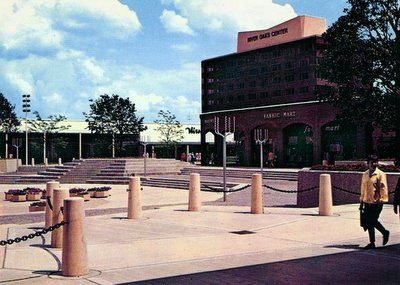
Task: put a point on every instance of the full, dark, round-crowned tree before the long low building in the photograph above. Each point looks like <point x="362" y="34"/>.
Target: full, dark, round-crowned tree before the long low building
<point x="115" y="116"/>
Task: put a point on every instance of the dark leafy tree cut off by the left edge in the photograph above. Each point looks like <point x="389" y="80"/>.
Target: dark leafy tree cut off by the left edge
<point x="8" y="119"/>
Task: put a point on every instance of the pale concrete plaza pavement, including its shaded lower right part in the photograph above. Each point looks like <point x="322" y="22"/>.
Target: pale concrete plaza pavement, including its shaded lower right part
<point x="219" y="245"/>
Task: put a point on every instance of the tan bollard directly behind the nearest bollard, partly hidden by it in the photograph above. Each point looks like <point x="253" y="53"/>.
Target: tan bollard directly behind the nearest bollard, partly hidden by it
<point x="58" y="199"/>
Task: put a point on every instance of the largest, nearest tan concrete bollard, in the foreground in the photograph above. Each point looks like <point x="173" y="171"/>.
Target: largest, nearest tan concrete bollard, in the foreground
<point x="74" y="247"/>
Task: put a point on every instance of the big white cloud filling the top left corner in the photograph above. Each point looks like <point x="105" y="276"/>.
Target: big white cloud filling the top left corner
<point x="39" y="26"/>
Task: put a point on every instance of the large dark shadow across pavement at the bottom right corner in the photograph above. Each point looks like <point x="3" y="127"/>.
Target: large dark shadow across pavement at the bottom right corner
<point x="354" y="267"/>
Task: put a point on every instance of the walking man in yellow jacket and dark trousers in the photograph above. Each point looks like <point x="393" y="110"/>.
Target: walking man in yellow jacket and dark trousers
<point x="374" y="193"/>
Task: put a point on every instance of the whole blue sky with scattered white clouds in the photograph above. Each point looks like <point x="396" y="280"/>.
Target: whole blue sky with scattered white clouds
<point x="65" y="52"/>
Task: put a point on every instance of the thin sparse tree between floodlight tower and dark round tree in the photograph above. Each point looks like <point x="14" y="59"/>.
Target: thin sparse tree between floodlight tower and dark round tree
<point x="49" y="126"/>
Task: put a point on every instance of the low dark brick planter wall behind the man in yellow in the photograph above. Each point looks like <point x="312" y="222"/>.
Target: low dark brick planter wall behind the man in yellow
<point x="348" y="180"/>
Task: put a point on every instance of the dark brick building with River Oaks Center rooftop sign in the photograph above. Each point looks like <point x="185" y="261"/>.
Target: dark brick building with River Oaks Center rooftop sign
<point x="271" y="83"/>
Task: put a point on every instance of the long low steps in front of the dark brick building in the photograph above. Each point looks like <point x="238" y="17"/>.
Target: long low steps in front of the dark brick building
<point x="280" y="174"/>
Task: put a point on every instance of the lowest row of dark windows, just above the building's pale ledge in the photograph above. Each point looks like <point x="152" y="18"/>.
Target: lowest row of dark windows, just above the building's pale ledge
<point x="260" y="95"/>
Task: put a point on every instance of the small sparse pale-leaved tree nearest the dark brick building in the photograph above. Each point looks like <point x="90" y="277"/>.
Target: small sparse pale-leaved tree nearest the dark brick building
<point x="169" y="128"/>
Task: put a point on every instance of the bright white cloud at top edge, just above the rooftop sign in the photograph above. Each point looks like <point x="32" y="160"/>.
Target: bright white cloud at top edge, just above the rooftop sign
<point x="236" y="15"/>
